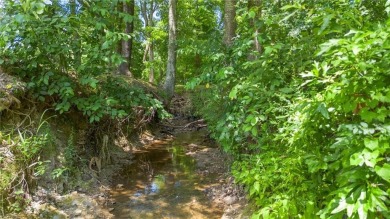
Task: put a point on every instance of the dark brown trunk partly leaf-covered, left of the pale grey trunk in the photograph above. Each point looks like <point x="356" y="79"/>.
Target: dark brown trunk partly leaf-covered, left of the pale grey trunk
<point x="125" y="52"/>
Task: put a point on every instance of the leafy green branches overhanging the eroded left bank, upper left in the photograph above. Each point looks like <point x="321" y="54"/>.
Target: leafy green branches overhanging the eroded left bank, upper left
<point x="72" y="67"/>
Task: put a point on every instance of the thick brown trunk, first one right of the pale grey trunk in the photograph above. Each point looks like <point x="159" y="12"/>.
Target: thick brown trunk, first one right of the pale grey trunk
<point x="230" y="22"/>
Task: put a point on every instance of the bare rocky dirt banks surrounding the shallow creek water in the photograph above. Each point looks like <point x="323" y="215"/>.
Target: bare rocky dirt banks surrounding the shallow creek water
<point x="89" y="194"/>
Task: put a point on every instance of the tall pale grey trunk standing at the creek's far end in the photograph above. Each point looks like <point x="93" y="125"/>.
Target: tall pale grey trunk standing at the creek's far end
<point x="169" y="85"/>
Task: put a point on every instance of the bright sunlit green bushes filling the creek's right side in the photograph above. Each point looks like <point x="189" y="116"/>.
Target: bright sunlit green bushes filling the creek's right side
<point x="308" y="118"/>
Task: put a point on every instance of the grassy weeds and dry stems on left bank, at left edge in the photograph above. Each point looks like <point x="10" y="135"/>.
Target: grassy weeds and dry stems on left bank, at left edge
<point x="17" y="175"/>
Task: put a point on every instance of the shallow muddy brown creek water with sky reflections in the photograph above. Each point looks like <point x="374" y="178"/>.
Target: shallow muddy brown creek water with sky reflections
<point x="163" y="182"/>
